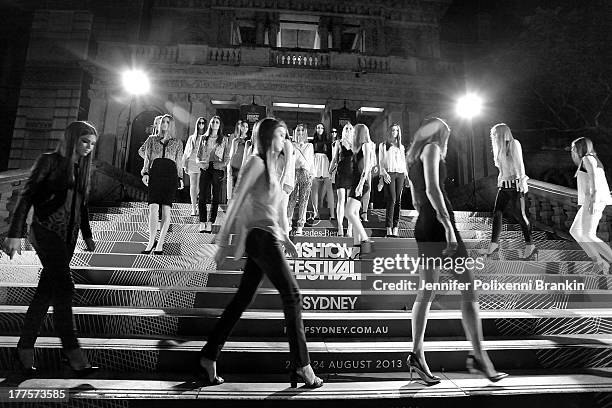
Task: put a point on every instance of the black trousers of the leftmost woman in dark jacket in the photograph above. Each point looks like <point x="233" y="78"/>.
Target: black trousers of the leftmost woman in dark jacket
<point x="55" y="287"/>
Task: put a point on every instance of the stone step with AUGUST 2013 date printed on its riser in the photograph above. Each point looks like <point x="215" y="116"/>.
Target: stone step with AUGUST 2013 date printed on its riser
<point x="327" y="357"/>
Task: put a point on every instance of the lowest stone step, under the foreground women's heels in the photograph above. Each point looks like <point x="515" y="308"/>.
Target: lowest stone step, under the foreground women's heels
<point x="528" y="388"/>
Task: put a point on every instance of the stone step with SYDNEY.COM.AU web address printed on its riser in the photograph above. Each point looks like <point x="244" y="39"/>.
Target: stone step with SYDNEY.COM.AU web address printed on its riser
<point x="198" y="322"/>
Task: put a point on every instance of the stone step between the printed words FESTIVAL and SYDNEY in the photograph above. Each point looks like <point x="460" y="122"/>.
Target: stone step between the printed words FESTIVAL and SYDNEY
<point x="366" y="282"/>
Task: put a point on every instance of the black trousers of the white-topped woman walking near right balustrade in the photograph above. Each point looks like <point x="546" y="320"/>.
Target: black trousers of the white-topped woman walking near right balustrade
<point x="511" y="203"/>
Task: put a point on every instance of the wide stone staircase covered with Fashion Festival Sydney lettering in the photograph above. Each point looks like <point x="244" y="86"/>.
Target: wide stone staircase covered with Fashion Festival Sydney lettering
<point x="144" y="317"/>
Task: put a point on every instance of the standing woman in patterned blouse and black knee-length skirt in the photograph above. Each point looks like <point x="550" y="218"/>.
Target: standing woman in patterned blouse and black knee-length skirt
<point x="162" y="172"/>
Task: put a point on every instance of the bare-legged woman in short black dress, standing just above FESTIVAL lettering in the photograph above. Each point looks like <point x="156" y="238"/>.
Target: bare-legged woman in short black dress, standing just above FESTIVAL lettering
<point x="342" y="165"/>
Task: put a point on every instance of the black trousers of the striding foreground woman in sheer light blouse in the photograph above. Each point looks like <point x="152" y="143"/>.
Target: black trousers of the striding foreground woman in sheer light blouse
<point x="265" y="256"/>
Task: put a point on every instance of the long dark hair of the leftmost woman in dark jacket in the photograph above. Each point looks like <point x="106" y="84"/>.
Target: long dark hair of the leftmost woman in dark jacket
<point x="65" y="148"/>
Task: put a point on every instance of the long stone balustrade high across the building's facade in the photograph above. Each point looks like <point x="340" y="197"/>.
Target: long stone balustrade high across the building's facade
<point x="197" y="54"/>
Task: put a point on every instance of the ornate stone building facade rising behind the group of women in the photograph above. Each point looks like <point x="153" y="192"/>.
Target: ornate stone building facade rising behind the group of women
<point x="302" y="60"/>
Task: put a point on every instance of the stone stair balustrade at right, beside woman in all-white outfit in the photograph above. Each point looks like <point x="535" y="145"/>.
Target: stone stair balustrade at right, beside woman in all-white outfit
<point x="554" y="207"/>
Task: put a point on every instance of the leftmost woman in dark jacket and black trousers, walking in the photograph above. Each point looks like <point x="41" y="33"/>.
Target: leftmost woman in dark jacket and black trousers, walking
<point x="57" y="188"/>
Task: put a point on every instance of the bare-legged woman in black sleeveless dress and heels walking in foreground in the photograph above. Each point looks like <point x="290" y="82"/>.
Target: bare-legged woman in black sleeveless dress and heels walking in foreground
<point x="438" y="238"/>
